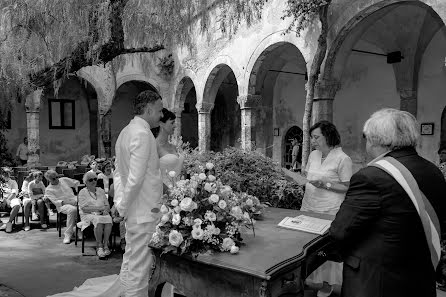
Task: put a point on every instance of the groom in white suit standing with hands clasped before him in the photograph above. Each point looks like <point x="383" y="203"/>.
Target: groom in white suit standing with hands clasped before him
<point x="138" y="190"/>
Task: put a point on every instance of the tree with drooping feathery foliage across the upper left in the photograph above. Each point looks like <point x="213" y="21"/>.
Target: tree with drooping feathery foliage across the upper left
<point x="41" y="41"/>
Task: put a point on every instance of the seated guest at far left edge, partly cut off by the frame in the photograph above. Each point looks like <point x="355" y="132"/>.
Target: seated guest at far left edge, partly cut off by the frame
<point x="9" y="202"/>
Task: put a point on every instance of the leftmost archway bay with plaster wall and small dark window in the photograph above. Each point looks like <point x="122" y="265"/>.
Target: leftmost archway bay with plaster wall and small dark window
<point x="68" y="122"/>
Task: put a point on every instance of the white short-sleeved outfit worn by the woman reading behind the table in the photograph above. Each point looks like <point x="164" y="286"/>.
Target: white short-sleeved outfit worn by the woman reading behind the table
<point x="337" y="167"/>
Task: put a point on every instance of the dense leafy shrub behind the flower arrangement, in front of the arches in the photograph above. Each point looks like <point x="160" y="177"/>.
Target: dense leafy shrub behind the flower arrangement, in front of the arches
<point x="250" y="172"/>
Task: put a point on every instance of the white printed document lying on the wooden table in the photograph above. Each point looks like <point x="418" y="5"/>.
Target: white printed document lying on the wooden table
<point x="306" y="224"/>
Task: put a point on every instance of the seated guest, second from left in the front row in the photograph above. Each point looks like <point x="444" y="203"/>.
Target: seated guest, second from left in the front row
<point x="36" y="190"/>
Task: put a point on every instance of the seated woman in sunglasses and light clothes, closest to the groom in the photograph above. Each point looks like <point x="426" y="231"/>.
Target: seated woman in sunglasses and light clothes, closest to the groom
<point x="94" y="209"/>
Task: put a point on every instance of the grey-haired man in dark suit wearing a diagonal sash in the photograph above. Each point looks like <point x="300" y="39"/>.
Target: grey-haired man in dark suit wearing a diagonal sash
<point x="388" y="227"/>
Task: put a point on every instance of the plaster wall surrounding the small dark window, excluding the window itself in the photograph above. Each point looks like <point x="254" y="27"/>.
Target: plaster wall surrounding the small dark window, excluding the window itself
<point x="67" y="144"/>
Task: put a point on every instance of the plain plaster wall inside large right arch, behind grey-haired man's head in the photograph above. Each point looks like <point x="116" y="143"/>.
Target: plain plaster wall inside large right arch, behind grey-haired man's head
<point x="368" y="84"/>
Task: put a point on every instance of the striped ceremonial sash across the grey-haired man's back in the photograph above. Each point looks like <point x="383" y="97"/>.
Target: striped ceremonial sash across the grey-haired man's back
<point x="429" y="218"/>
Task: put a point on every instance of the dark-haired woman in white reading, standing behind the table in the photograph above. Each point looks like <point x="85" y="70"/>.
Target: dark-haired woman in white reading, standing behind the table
<point x="326" y="178"/>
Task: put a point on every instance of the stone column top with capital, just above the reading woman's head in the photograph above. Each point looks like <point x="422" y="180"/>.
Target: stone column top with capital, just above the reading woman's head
<point x="324" y="94"/>
